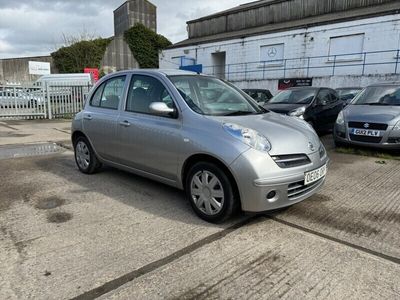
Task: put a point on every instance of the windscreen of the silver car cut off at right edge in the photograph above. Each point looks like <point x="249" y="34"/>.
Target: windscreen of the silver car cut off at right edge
<point x="379" y="95"/>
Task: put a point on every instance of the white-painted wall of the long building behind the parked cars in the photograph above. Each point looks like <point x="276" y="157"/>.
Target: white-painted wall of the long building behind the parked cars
<point x="380" y="34"/>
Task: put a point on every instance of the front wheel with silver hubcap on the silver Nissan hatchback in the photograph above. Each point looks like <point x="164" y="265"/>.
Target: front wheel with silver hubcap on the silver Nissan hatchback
<point x="210" y="192"/>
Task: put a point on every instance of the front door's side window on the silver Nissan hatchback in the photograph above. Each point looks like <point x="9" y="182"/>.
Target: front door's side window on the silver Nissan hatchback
<point x="143" y="91"/>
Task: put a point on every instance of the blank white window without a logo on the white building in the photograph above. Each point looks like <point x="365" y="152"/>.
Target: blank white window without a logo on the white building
<point x="348" y="47"/>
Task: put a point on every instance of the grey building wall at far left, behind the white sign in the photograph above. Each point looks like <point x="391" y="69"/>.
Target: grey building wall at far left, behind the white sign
<point x="16" y="70"/>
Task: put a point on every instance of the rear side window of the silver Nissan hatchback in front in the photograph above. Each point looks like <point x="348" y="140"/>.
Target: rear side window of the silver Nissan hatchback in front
<point x="109" y="94"/>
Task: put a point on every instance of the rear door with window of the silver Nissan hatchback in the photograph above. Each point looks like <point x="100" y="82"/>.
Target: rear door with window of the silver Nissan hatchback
<point x="101" y="115"/>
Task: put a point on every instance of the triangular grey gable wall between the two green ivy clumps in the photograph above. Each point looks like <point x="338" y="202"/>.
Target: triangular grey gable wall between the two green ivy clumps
<point x="118" y="56"/>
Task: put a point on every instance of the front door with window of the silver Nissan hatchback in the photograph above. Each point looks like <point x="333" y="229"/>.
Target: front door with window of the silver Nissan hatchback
<point x="148" y="142"/>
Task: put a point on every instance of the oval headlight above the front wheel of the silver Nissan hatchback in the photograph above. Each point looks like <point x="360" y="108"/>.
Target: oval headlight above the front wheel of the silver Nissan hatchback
<point x="248" y="136"/>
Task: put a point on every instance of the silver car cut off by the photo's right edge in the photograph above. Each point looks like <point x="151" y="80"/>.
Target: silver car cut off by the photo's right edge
<point x="372" y="118"/>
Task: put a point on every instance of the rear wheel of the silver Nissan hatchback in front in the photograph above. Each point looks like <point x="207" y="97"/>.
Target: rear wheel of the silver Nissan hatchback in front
<point x="85" y="158"/>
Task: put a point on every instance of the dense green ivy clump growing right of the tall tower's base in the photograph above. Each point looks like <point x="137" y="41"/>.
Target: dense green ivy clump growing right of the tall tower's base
<point x="145" y="45"/>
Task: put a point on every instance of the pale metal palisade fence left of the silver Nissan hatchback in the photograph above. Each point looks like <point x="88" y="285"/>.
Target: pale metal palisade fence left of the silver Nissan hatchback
<point x="46" y="100"/>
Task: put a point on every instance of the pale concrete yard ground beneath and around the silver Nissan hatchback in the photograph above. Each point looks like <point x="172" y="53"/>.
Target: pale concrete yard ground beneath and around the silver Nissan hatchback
<point x="115" y="235"/>
